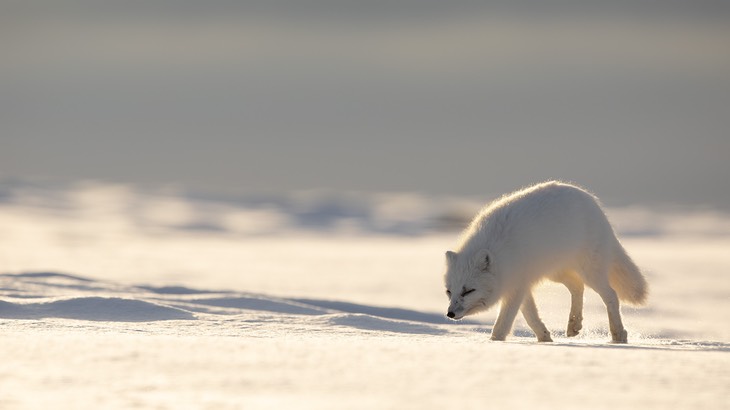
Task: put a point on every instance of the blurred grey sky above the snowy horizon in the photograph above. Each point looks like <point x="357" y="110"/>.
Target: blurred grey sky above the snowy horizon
<point x="630" y="99"/>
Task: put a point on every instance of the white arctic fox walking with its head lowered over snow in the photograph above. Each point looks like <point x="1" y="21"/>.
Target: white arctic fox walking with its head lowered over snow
<point x="551" y="230"/>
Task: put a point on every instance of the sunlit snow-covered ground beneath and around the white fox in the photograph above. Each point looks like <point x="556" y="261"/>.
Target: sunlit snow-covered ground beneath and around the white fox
<point x="113" y="297"/>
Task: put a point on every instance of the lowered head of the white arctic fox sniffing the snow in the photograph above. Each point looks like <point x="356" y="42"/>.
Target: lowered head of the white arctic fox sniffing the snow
<point x="471" y="283"/>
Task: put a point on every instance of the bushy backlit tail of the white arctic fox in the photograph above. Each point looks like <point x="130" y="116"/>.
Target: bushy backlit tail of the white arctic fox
<point x="626" y="278"/>
